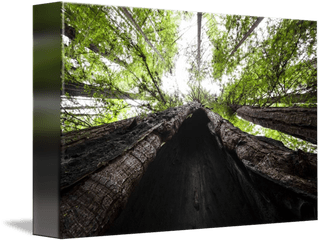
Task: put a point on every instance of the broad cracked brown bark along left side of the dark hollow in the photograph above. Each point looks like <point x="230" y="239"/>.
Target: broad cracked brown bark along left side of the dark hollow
<point x="99" y="174"/>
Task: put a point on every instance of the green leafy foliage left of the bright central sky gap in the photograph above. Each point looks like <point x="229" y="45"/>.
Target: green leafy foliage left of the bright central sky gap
<point x="108" y="54"/>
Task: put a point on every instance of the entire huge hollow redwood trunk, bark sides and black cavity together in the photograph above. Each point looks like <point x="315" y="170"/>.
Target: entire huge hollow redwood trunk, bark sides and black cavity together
<point x="218" y="167"/>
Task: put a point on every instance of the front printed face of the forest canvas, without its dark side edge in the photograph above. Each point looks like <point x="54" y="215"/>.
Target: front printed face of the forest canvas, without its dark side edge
<point x="177" y="120"/>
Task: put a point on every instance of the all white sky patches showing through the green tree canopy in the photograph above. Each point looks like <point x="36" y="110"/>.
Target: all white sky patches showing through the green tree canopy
<point x="187" y="45"/>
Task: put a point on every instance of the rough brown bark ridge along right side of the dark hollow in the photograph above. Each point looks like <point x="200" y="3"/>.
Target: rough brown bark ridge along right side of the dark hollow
<point x="295" y="169"/>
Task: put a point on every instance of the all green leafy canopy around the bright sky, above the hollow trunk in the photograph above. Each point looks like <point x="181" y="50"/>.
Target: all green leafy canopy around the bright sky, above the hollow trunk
<point x="121" y="62"/>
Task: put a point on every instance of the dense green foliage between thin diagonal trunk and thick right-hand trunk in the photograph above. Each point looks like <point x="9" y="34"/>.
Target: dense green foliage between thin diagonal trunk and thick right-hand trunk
<point x="278" y="68"/>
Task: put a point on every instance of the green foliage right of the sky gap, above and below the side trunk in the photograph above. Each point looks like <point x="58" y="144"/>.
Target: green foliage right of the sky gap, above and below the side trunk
<point x="278" y="71"/>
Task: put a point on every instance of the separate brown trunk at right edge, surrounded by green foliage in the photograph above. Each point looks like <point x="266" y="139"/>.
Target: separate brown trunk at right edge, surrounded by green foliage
<point x="298" y="122"/>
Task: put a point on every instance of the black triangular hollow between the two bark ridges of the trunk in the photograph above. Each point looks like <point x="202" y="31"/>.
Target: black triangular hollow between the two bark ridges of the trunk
<point x="194" y="183"/>
